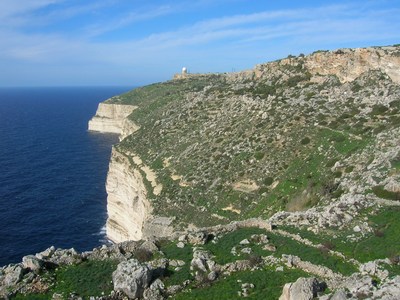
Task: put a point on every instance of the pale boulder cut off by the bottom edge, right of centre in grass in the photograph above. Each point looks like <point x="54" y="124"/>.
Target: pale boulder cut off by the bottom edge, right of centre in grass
<point x="302" y="289"/>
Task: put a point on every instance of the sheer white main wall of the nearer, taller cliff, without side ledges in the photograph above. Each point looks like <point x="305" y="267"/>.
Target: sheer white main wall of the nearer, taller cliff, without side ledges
<point x="127" y="204"/>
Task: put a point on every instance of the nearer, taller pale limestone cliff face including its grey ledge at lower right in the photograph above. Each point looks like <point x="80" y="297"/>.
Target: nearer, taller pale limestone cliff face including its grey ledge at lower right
<point x="129" y="210"/>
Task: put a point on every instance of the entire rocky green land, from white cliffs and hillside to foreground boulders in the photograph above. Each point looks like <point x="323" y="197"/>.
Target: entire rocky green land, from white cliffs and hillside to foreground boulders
<point x="277" y="182"/>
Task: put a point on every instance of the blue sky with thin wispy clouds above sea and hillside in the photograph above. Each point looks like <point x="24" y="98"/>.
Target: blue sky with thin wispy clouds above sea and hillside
<point x="137" y="42"/>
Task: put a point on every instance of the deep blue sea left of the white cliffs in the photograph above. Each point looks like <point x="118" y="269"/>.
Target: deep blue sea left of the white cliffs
<point x="52" y="170"/>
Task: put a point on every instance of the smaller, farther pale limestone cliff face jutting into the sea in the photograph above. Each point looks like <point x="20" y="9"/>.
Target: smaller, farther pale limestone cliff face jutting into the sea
<point x="112" y="118"/>
